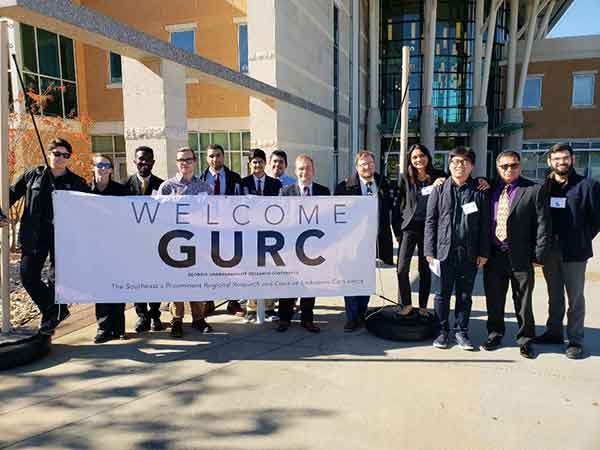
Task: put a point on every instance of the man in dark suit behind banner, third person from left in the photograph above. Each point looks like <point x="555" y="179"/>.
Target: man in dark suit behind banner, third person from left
<point x="144" y="182"/>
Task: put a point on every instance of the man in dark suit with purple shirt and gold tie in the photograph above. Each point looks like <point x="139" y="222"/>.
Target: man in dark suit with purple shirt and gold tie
<point x="520" y="226"/>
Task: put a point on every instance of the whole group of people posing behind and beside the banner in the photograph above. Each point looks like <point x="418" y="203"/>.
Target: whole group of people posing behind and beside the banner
<point x="458" y="224"/>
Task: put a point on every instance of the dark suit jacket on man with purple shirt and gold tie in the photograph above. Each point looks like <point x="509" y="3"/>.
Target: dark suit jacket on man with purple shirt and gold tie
<point x="528" y="226"/>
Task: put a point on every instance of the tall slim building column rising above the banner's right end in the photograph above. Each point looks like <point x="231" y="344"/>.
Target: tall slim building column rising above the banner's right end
<point x="374" y="115"/>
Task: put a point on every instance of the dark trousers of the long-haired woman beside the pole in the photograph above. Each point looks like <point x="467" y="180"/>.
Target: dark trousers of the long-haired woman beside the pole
<point x="412" y="237"/>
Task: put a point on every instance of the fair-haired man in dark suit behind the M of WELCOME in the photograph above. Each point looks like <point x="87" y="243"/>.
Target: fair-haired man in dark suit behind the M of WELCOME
<point x="305" y="172"/>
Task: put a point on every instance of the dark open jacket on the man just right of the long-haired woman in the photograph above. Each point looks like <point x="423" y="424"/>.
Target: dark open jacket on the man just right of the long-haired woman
<point x="438" y="224"/>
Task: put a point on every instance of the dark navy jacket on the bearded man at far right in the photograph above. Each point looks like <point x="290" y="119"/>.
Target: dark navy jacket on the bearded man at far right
<point x="581" y="223"/>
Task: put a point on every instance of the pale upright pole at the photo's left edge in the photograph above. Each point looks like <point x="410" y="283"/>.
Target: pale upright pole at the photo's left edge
<point x="4" y="202"/>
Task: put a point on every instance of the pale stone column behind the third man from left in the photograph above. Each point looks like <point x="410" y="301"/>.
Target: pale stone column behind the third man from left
<point x="154" y="111"/>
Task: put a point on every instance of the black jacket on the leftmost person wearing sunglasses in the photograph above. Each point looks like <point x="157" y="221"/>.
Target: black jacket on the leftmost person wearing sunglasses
<point x="36" y="222"/>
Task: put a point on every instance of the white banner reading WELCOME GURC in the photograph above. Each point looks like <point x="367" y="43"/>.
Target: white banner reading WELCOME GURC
<point x="163" y="248"/>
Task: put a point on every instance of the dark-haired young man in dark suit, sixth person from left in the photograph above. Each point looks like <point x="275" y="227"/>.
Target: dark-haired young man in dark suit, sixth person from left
<point x="259" y="183"/>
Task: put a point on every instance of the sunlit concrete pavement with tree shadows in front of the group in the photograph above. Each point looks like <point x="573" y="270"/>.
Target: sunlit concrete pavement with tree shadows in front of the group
<point x="248" y="387"/>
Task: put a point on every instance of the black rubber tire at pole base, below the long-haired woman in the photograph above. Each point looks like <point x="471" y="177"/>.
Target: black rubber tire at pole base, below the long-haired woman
<point x="387" y="323"/>
